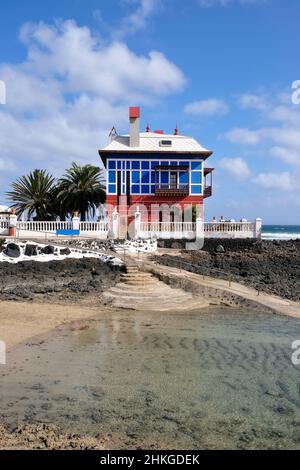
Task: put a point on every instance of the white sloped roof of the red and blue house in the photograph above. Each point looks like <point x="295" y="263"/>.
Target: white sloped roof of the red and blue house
<point x="150" y="142"/>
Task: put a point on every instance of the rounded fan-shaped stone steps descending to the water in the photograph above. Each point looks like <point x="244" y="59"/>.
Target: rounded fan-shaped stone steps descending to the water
<point x="140" y="290"/>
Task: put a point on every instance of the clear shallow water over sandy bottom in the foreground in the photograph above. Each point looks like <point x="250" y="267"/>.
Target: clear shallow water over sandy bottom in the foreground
<point x="216" y="378"/>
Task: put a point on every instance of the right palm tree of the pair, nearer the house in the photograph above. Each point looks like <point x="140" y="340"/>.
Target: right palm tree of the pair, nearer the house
<point x="81" y="189"/>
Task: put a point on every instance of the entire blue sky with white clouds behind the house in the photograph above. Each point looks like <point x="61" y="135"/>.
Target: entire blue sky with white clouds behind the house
<point x="220" y="69"/>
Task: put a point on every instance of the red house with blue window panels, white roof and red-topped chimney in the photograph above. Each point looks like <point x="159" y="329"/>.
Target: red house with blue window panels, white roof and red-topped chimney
<point x="155" y="171"/>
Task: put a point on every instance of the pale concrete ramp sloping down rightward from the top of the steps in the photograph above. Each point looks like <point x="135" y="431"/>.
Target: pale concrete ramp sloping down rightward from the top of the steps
<point x="206" y="286"/>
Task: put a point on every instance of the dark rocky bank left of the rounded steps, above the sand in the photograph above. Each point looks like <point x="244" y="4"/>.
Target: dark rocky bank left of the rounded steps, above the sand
<point x="64" y="280"/>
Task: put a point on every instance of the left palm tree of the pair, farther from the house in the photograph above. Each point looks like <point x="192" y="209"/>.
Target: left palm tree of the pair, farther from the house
<point x="32" y="192"/>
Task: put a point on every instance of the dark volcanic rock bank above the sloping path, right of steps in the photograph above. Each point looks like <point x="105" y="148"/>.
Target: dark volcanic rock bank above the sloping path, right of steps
<point x="269" y="266"/>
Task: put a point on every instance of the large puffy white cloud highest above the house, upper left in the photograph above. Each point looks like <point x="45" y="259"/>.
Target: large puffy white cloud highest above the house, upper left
<point x="69" y="53"/>
